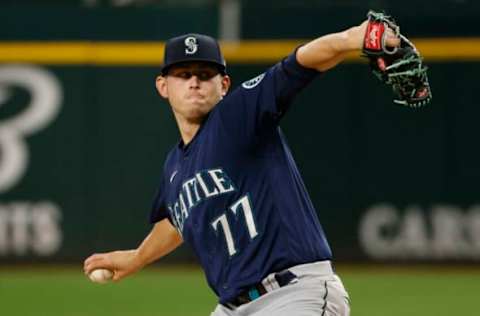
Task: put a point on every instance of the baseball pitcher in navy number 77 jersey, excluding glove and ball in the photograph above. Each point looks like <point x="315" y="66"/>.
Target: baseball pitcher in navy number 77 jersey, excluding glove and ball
<point x="230" y="186"/>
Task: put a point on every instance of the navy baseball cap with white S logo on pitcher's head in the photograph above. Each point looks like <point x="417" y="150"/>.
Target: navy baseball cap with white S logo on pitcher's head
<point x="193" y="47"/>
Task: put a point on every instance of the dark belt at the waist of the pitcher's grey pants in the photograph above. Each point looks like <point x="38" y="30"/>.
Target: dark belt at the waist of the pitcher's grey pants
<point x="270" y="283"/>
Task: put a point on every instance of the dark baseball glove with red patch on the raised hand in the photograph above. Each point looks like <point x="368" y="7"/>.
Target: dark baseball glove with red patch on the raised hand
<point x="400" y="67"/>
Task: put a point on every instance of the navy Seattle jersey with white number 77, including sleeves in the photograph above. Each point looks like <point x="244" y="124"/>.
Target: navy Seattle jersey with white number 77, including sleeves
<point x="234" y="192"/>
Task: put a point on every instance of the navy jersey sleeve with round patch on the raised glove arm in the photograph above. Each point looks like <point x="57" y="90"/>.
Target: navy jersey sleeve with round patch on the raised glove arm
<point x="261" y="102"/>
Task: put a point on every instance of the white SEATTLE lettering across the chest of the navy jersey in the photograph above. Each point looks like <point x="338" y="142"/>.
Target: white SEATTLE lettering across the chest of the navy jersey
<point x="204" y="185"/>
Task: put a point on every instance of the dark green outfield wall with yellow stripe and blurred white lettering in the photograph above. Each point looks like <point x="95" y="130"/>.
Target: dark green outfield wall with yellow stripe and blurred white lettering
<point x="83" y="137"/>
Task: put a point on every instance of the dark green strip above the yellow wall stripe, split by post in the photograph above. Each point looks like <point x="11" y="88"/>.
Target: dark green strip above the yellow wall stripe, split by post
<point x="52" y="20"/>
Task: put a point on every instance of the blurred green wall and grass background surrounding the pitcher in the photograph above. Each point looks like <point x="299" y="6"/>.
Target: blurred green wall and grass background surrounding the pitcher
<point x="83" y="137"/>
